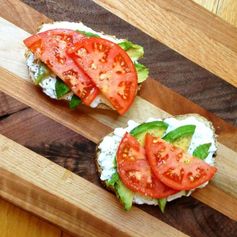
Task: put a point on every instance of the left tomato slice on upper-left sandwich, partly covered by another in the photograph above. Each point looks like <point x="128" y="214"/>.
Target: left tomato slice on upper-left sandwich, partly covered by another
<point x="50" y="47"/>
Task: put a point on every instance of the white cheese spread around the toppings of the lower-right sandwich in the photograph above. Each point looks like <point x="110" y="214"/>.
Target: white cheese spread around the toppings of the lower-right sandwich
<point x="109" y="146"/>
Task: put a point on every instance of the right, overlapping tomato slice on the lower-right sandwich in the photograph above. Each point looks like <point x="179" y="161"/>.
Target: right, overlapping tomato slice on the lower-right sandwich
<point x="174" y="167"/>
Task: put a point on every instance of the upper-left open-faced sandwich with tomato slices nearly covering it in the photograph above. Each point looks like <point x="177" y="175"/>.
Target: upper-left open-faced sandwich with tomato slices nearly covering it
<point x="71" y="61"/>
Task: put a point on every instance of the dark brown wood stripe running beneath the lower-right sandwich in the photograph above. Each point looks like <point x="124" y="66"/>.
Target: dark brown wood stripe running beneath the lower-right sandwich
<point x="77" y="155"/>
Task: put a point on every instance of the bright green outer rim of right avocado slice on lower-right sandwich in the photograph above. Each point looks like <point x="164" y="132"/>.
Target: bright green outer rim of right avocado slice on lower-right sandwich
<point x="179" y="132"/>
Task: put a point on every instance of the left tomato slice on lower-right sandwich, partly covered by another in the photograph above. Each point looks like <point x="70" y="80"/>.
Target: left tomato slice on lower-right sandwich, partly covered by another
<point x="135" y="171"/>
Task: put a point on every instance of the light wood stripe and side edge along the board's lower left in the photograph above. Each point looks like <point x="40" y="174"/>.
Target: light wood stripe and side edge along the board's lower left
<point x="67" y="199"/>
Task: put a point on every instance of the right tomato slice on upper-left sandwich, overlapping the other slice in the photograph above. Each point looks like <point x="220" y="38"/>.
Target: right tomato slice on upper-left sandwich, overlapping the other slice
<point x="111" y="69"/>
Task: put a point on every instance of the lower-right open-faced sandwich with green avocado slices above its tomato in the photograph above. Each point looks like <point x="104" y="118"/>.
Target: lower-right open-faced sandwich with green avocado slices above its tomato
<point x="159" y="160"/>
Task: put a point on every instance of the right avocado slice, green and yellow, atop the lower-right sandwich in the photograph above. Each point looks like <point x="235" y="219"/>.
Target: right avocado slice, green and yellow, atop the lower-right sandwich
<point x="181" y="136"/>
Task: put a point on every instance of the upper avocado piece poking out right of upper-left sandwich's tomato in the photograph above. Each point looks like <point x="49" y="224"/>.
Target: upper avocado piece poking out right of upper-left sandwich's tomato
<point x="134" y="51"/>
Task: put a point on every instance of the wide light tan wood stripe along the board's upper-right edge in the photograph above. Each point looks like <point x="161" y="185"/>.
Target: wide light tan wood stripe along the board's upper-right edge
<point x="216" y="42"/>
